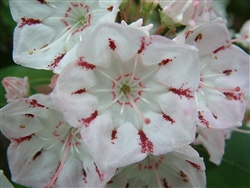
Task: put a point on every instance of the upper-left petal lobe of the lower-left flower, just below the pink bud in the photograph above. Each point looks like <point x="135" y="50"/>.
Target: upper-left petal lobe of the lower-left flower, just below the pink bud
<point x="23" y="117"/>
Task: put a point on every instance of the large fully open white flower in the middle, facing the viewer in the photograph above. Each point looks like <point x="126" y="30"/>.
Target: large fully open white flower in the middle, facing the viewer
<point x="131" y="94"/>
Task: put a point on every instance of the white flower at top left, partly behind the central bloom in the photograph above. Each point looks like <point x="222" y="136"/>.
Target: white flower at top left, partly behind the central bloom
<point x="47" y="31"/>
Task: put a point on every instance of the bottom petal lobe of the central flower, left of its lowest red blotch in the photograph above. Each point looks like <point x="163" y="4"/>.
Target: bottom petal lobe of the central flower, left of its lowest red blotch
<point x="124" y="140"/>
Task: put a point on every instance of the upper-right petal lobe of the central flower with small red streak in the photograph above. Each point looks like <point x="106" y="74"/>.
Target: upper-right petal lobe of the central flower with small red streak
<point x="181" y="59"/>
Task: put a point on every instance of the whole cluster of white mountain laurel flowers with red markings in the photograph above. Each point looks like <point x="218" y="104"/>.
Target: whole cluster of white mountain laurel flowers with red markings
<point x="126" y="103"/>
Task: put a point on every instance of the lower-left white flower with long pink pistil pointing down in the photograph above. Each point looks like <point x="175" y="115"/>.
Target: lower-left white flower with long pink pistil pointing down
<point x="45" y="150"/>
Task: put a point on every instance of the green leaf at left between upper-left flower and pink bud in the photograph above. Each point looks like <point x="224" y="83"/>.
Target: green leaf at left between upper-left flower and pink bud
<point x="36" y="78"/>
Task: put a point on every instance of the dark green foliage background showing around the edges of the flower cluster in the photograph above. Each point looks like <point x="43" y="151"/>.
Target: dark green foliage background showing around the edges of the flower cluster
<point x="235" y="168"/>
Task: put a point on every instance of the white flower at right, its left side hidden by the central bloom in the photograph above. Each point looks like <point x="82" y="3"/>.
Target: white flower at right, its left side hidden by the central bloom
<point x="224" y="76"/>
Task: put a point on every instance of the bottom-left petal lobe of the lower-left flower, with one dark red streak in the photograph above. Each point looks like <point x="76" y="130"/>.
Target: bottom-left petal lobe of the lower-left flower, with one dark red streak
<point x="25" y="162"/>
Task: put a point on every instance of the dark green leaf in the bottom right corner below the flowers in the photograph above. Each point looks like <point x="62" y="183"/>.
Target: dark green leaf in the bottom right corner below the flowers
<point x="234" y="170"/>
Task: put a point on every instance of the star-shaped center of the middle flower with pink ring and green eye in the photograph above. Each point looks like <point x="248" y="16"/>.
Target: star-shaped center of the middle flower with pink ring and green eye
<point x="133" y="89"/>
